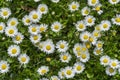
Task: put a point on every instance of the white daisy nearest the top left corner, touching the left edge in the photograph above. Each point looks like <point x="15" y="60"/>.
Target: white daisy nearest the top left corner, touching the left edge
<point x="5" y="13"/>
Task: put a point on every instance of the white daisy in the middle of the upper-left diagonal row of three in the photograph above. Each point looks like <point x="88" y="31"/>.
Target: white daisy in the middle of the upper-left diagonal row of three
<point x="35" y="16"/>
